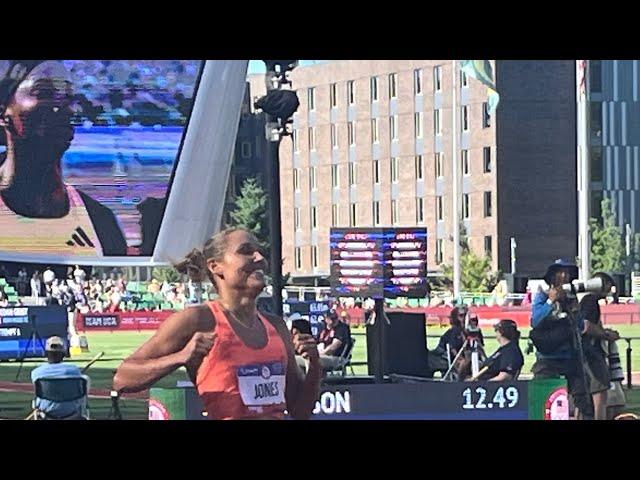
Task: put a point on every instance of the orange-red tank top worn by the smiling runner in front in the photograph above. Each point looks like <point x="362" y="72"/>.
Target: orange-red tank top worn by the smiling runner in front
<point x="239" y="382"/>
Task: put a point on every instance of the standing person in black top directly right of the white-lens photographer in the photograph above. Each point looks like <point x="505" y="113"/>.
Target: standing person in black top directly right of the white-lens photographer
<point x="593" y="337"/>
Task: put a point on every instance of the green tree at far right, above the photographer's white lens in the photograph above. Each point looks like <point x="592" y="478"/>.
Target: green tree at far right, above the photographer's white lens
<point x="607" y="248"/>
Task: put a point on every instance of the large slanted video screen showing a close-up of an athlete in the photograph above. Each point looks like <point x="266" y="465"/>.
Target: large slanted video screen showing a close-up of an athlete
<point x="87" y="152"/>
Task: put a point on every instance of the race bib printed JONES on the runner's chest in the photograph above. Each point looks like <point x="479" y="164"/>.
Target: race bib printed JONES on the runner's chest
<point x="262" y="384"/>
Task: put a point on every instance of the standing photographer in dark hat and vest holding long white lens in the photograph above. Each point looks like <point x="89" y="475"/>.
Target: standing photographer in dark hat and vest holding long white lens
<point x="555" y="334"/>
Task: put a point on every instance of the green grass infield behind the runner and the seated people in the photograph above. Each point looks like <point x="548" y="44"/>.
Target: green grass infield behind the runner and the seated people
<point x="17" y="405"/>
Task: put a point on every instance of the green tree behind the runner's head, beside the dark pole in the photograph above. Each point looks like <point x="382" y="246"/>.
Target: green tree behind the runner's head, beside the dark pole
<point x="250" y="211"/>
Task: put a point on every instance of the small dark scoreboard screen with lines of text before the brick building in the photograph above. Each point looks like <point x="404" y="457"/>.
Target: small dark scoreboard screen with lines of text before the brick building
<point x="378" y="262"/>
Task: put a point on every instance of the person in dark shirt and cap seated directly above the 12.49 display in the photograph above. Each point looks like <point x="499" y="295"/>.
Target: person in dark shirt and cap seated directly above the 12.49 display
<point x="506" y="362"/>
